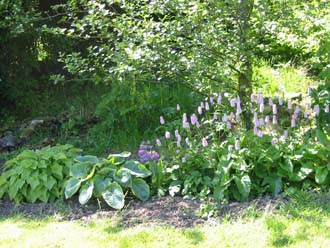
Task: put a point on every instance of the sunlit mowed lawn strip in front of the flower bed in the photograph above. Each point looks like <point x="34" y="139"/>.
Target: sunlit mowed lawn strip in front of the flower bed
<point x="305" y="222"/>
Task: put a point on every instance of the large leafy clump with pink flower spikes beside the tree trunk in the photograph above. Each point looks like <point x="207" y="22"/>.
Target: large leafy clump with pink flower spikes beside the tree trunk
<point x="218" y="158"/>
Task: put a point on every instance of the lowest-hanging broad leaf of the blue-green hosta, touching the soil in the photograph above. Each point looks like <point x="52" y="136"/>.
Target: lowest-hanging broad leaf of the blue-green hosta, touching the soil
<point x="114" y="196"/>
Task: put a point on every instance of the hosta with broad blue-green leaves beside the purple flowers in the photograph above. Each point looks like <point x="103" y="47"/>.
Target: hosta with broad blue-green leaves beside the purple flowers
<point x="107" y="179"/>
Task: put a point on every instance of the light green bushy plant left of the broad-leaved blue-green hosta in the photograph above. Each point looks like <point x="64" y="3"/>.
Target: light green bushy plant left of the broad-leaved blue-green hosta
<point x="37" y="175"/>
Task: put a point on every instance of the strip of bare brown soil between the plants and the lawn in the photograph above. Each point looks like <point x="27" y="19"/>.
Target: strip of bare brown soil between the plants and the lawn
<point x="172" y="211"/>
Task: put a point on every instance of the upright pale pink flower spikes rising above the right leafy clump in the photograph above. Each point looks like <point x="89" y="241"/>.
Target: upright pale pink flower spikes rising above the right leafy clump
<point x="265" y="116"/>
